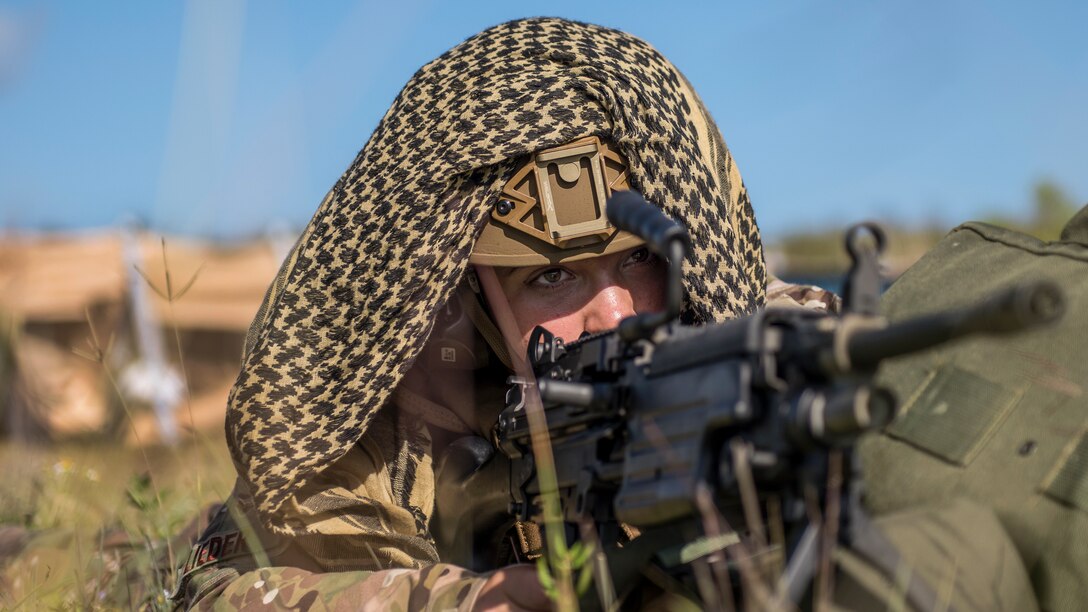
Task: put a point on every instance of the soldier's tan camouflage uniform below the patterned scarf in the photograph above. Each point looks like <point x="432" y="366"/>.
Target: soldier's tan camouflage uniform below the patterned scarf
<point x="384" y="558"/>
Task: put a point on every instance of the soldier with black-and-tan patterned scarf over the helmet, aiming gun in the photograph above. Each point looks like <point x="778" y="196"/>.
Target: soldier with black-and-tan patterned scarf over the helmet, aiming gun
<point x="481" y="190"/>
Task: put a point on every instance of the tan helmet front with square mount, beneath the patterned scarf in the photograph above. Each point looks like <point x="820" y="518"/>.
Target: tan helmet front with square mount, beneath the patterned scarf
<point x="553" y="210"/>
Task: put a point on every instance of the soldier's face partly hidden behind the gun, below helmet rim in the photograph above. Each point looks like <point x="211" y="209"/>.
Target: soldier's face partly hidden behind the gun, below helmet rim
<point x="590" y="296"/>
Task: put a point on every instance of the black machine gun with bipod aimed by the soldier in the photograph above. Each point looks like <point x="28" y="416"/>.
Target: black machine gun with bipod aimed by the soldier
<point x="647" y="419"/>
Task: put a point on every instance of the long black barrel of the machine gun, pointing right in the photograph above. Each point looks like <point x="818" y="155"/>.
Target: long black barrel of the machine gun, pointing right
<point x="1022" y="308"/>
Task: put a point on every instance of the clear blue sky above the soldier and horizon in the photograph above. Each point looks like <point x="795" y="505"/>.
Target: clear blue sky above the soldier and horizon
<point x="229" y="119"/>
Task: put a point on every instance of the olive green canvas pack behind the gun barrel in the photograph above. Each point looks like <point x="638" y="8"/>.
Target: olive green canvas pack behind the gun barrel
<point x="1000" y="423"/>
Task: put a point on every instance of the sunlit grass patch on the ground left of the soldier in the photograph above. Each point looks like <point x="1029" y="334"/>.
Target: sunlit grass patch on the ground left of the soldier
<point x="100" y="519"/>
